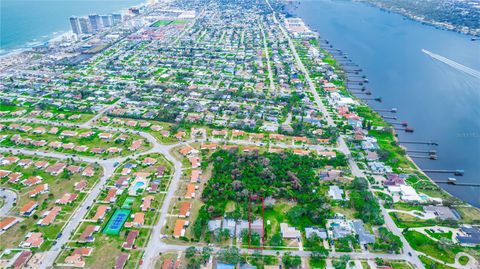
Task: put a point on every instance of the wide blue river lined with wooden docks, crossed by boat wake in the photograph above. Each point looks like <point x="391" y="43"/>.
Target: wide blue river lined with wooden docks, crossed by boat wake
<point x="441" y="103"/>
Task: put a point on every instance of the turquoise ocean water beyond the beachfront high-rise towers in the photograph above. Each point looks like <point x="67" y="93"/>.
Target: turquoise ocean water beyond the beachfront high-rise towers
<point x="24" y="22"/>
